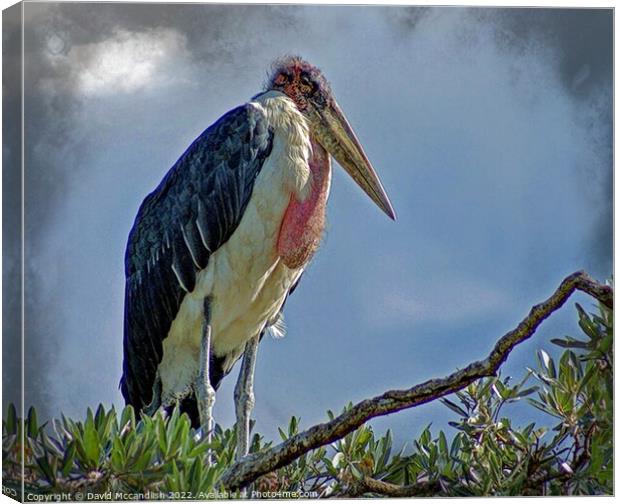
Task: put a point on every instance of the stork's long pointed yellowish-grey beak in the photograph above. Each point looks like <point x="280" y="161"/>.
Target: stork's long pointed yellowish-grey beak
<point x="334" y="132"/>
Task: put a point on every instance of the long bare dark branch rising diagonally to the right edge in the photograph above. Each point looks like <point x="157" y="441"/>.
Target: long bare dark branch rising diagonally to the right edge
<point x="255" y="465"/>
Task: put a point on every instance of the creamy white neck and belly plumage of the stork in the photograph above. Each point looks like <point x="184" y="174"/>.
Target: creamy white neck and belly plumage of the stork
<point x="245" y="280"/>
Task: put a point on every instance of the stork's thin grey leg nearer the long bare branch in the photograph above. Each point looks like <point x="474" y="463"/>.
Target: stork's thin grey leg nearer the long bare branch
<point x="244" y="396"/>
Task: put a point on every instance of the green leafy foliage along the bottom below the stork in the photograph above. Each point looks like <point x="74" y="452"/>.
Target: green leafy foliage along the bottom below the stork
<point x="485" y="454"/>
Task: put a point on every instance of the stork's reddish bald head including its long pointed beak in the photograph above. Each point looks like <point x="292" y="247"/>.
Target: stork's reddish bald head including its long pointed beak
<point x="307" y="87"/>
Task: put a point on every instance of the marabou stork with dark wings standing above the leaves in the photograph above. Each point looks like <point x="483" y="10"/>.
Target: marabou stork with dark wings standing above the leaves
<point x="220" y="244"/>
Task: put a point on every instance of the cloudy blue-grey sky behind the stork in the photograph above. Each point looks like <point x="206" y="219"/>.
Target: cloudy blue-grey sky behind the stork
<point x="490" y="128"/>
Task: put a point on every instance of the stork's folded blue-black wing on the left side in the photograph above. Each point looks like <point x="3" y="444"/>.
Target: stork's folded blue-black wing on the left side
<point x="193" y="211"/>
